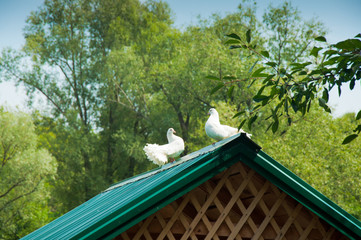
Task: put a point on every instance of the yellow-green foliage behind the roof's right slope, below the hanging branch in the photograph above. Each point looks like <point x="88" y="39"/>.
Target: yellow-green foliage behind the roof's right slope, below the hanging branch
<point x="310" y="148"/>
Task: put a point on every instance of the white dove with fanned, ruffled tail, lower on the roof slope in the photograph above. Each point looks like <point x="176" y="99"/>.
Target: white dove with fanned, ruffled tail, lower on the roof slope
<point x="159" y="154"/>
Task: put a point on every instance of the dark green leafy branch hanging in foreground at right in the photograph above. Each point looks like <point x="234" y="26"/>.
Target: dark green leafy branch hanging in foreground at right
<point x="301" y="83"/>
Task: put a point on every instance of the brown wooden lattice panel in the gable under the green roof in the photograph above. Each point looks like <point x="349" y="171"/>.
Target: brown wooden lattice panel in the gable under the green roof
<point x="236" y="204"/>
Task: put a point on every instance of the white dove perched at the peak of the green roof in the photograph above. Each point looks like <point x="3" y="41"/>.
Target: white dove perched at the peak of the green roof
<point x="216" y="130"/>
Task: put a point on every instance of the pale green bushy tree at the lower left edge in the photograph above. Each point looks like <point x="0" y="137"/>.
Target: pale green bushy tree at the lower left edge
<point x="26" y="172"/>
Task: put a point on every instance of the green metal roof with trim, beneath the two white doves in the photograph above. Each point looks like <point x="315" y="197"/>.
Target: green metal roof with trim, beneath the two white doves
<point x="124" y="204"/>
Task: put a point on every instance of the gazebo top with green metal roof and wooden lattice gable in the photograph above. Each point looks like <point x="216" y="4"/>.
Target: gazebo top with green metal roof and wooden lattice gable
<point x="232" y="190"/>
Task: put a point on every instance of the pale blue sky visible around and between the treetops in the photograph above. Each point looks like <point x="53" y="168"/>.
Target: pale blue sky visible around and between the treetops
<point x="342" y="19"/>
